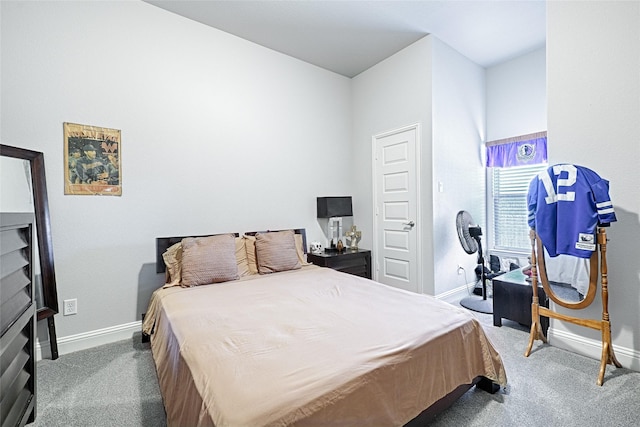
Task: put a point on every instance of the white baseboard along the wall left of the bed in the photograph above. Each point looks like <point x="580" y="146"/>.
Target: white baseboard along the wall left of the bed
<point x="90" y="339"/>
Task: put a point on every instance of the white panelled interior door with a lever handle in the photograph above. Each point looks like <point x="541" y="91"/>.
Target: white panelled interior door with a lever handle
<point x="396" y="227"/>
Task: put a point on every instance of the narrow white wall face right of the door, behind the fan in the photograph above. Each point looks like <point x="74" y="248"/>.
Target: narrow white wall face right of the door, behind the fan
<point x="458" y="171"/>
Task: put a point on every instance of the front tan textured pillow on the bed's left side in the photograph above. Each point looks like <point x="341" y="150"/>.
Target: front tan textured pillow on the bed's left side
<point x="208" y="260"/>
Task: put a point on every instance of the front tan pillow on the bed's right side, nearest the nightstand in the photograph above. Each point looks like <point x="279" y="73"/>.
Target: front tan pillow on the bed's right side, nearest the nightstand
<point x="276" y="251"/>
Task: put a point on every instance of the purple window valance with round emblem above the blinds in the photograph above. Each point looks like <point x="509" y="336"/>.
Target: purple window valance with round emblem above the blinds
<point x="520" y="151"/>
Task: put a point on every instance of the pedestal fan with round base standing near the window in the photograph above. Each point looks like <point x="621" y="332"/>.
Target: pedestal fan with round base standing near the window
<point x="469" y="234"/>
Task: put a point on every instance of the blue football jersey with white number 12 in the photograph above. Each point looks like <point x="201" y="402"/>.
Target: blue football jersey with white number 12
<point x="566" y="204"/>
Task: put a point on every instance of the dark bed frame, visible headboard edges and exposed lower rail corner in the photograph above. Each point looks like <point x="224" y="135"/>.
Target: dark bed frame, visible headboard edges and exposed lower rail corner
<point x="425" y="417"/>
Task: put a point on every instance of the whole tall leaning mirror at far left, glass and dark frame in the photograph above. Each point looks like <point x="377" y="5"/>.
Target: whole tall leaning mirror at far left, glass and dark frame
<point x="24" y="189"/>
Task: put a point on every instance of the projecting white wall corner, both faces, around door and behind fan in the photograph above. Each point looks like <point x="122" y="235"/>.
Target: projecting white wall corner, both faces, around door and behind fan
<point x="431" y="84"/>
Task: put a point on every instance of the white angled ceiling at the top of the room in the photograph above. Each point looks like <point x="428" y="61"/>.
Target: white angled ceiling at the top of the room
<point x="348" y="37"/>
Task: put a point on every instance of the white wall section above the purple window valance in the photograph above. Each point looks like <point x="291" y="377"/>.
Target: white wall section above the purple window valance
<point x="517" y="96"/>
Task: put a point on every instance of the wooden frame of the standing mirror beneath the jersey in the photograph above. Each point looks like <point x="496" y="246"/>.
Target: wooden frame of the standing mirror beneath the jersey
<point x="604" y="325"/>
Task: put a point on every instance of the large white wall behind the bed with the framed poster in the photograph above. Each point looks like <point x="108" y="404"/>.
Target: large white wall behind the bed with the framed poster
<point x="218" y="135"/>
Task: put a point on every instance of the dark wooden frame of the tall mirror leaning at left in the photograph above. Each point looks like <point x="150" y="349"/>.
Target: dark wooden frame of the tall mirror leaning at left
<point x="43" y="231"/>
